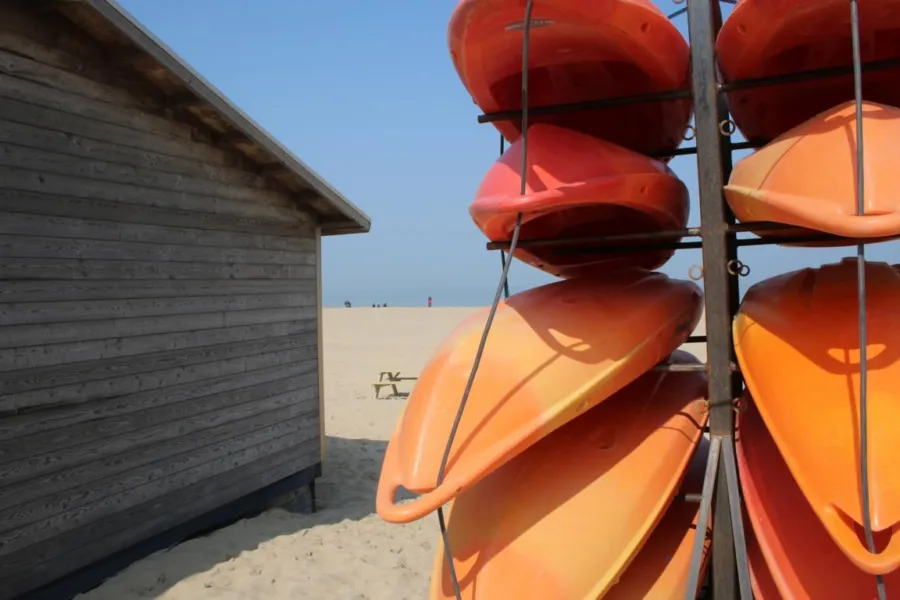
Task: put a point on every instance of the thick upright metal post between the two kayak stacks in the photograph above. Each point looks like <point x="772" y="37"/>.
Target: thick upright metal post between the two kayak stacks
<point x="717" y="284"/>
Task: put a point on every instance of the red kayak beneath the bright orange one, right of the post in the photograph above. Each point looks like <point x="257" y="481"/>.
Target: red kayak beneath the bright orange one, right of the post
<point x="791" y="554"/>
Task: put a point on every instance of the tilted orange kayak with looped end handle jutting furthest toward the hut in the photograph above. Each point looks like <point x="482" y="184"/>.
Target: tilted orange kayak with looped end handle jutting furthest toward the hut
<point x="552" y="353"/>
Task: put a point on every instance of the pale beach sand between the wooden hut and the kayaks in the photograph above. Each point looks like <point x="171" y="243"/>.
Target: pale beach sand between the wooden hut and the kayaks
<point x="344" y="551"/>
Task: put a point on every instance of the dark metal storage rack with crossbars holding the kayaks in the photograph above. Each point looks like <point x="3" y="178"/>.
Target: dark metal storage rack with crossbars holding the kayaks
<point x="718" y="239"/>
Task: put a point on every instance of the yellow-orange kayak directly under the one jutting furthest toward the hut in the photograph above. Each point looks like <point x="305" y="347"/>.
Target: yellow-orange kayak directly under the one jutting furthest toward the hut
<point x="564" y="519"/>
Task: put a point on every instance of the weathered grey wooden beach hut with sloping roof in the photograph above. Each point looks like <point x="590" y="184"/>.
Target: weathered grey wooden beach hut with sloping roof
<point x="160" y="300"/>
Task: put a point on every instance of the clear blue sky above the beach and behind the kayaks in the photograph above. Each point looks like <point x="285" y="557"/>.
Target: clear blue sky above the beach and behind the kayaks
<point x="365" y="94"/>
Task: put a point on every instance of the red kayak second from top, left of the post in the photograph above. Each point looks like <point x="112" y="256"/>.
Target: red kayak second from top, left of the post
<point x="579" y="186"/>
